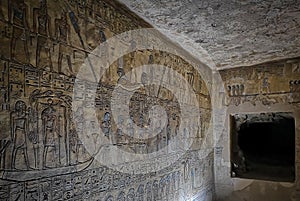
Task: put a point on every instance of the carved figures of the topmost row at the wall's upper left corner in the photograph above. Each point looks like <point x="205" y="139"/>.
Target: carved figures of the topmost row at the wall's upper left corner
<point x="22" y="35"/>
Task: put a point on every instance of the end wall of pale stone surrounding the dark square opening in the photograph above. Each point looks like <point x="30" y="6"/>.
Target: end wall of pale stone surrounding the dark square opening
<point x="265" y="88"/>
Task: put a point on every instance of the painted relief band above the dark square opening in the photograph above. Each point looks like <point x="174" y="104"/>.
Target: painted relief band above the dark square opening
<point x="269" y="84"/>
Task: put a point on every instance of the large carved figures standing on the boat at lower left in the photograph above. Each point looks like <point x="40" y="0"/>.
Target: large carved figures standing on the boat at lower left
<point x="41" y="137"/>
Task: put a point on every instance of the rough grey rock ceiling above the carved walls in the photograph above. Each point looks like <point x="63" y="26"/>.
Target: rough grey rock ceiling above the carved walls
<point x="232" y="32"/>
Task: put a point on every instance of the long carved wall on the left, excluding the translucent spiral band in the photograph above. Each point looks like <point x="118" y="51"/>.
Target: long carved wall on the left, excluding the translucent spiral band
<point x="43" y="44"/>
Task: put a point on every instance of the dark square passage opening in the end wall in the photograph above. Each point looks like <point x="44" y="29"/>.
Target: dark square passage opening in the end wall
<point x="264" y="147"/>
